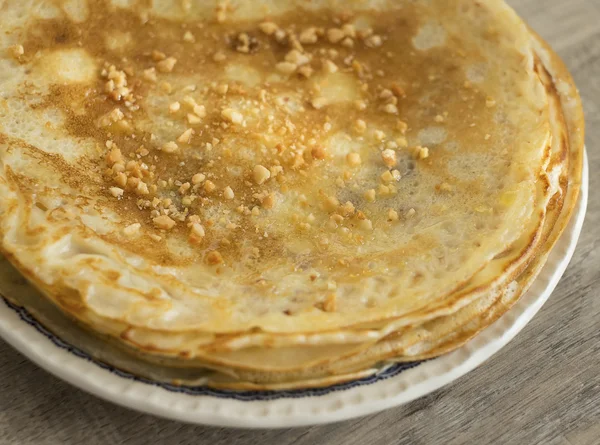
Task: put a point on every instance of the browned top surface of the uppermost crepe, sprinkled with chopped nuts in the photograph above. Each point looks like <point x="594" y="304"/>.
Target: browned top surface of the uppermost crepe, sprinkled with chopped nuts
<point x="256" y="172"/>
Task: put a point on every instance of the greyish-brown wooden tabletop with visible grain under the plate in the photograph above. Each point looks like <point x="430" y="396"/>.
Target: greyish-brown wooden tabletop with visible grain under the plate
<point x="544" y="388"/>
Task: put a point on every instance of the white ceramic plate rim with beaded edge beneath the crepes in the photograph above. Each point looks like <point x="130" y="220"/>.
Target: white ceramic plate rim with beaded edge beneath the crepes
<point x="396" y="385"/>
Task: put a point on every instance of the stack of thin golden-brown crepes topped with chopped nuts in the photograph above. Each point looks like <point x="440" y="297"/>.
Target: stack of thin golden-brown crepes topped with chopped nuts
<point x="281" y="194"/>
